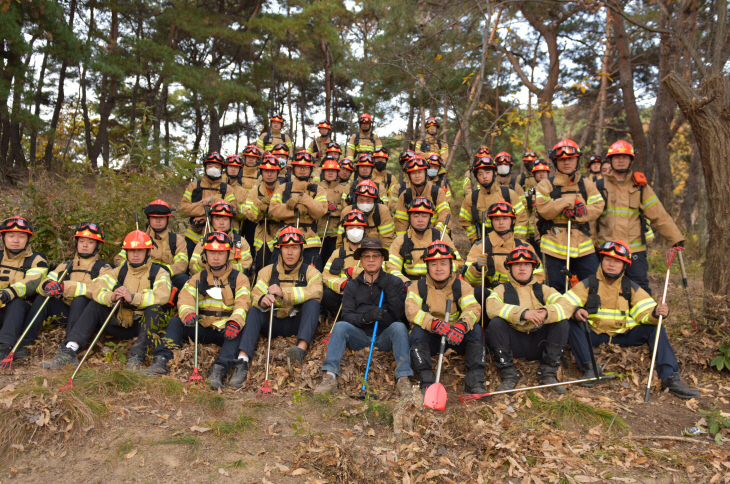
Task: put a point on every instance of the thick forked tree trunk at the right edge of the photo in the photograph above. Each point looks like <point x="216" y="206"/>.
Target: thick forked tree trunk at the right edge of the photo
<point x="708" y="111"/>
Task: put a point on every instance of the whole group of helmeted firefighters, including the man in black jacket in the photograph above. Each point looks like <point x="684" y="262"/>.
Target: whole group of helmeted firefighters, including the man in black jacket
<point x="279" y="242"/>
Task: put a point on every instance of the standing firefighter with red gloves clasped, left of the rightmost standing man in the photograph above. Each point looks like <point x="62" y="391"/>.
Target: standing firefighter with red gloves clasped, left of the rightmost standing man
<point x="567" y="196"/>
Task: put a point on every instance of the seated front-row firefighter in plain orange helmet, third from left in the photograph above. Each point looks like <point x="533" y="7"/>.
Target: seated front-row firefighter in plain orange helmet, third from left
<point x="142" y="286"/>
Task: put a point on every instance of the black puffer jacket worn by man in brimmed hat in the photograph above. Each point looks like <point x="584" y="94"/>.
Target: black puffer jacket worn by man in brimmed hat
<point x="360" y="297"/>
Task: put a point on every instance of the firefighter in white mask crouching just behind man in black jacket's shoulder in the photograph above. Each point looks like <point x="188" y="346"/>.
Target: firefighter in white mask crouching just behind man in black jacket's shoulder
<point x="341" y="267"/>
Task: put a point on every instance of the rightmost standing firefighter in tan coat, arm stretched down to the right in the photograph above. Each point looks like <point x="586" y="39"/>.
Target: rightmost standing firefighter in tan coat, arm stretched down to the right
<point x="630" y="203"/>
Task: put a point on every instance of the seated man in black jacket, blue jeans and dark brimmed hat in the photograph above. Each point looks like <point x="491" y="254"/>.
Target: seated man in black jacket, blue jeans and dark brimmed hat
<point x="360" y="310"/>
